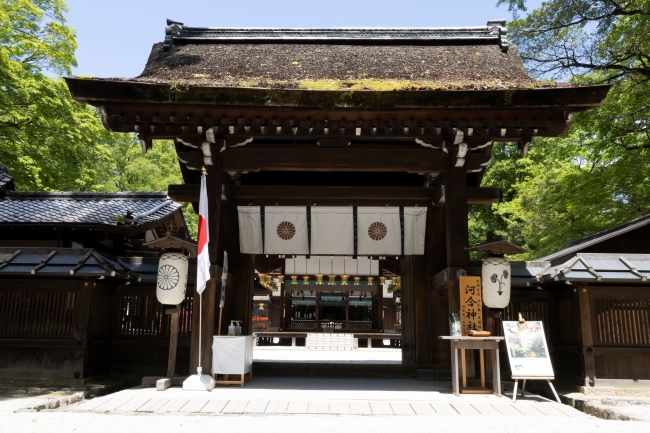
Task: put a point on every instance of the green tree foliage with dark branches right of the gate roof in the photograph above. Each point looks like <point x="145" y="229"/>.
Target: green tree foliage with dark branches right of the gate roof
<point x="598" y="174"/>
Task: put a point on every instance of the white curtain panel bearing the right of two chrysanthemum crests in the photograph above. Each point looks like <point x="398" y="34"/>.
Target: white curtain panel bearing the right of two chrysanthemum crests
<point x="378" y="231"/>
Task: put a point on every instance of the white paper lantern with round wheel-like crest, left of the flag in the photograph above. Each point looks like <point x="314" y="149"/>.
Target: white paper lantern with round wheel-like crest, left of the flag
<point x="172" y="278"/>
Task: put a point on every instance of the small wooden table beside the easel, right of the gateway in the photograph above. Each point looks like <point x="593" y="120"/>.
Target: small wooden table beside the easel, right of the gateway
<point x="481" y="343"/>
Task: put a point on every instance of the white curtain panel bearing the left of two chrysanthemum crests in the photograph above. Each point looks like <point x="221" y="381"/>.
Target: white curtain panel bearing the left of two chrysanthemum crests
<point x="285" y="230"/>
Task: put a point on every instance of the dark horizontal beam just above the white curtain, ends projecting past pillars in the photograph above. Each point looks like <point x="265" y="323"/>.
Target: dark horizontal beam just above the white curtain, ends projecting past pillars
<point x="300" y="195"/>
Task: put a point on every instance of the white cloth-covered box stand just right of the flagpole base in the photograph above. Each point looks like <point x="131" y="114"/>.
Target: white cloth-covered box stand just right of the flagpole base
<point x="232" y="355"/>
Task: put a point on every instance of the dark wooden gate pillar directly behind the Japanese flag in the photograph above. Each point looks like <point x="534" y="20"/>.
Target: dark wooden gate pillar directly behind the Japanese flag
<point x="210" y="299"/>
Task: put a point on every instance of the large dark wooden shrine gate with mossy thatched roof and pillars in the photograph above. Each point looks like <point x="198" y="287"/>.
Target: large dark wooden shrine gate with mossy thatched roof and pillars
<point x="284" y="142"/>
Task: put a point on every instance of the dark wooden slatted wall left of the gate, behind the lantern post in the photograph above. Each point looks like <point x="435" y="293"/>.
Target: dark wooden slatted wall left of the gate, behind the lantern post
<point x="74" y="329"/>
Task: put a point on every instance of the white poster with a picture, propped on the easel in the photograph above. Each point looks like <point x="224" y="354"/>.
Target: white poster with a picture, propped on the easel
<point x="527" y="350"/>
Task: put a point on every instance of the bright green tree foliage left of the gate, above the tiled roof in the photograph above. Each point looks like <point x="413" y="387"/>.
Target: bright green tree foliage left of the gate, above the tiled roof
<point x="47" y="140"/>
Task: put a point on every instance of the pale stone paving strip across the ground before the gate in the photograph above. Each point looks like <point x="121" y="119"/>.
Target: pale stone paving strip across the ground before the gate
<point x="327" y="397"/>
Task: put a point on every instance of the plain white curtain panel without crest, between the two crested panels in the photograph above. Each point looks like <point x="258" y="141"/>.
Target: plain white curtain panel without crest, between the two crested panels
<point x="332" y="230"/>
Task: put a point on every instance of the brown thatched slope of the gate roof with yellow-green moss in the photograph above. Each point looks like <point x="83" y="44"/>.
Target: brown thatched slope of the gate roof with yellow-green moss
<point x="334" y="67"/>
